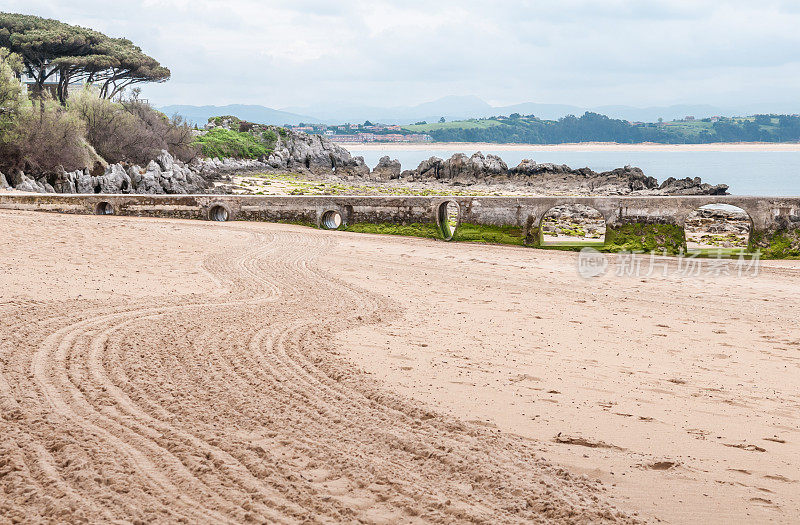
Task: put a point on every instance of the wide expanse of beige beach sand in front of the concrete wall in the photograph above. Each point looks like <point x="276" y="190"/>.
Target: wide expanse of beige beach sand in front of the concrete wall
<point x="165" y="370"/>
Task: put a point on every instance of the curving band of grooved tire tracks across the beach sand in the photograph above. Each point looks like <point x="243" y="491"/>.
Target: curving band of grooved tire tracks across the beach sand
<point x="235" y="408"/>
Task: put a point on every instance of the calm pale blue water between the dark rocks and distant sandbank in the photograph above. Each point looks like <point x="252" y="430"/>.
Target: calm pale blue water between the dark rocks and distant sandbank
<point x="746" y="172"/>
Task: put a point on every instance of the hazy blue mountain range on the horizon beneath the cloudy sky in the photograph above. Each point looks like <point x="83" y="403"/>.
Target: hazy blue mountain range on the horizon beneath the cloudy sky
<point x="452" y="108"/>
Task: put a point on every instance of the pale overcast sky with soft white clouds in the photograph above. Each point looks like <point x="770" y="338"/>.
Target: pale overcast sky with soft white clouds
<point x="385" y="52"/>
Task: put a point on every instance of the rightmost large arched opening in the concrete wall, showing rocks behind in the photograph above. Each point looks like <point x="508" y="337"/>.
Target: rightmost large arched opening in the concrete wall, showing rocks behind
<point x="718" y="228"/>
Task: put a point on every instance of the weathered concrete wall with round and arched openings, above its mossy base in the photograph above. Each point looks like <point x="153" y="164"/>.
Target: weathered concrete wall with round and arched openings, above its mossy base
<point x="768" y="214"/>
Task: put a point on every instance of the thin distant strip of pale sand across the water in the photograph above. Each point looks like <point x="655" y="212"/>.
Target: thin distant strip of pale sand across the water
<point x="582" y="146"/>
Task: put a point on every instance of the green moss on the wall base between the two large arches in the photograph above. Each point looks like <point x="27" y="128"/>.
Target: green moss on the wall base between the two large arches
<point x="645" y="237"/>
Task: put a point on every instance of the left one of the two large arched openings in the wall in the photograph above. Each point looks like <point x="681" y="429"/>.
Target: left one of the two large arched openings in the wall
<point x="573" y="225"/>
